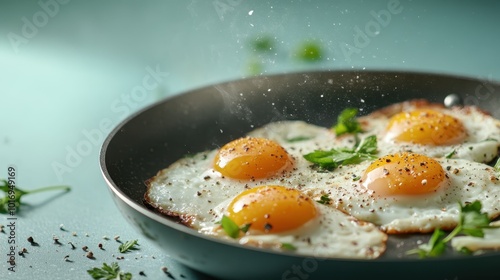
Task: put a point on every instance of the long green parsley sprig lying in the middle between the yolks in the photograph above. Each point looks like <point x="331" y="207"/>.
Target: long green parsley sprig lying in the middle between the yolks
<point x="329" y="160"/>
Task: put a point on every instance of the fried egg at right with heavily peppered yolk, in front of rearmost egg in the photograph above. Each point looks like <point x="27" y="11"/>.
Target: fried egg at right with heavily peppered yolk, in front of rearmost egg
<point x="412" y="193"/>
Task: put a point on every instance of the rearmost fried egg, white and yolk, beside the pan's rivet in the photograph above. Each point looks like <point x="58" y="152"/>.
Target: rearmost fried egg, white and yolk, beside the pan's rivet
<point x="426" y="128"/>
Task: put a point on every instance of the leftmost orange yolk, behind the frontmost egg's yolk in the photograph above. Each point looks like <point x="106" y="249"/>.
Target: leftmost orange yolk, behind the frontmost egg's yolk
<point x="251" y="158"/>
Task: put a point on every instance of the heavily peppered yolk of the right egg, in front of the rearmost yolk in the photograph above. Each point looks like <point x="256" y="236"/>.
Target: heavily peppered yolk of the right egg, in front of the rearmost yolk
<point x="403" y="174"/>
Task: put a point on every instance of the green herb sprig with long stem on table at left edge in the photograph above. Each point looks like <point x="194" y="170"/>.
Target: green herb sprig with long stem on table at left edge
<point x="11" y="202"/>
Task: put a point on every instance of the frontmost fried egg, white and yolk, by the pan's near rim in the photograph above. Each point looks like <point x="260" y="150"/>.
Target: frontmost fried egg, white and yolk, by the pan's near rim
<point x="279" y="217"/>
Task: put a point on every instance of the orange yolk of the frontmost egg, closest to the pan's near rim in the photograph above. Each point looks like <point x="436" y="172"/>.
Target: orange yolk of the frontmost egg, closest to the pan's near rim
<point x="271" y="209"/>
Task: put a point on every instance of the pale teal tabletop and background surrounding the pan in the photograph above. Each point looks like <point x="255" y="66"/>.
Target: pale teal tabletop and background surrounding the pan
<point x="70" y="71"/>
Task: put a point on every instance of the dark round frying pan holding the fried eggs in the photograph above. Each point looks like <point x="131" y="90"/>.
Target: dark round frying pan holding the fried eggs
<point x="209" y="117"/>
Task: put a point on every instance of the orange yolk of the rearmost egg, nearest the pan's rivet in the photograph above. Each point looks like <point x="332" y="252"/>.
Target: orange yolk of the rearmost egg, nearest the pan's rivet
<point x="427" y="127"/>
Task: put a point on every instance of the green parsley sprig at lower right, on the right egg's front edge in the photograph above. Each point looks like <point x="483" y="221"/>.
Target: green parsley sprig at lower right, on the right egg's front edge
<point x="472" y="222"/>
